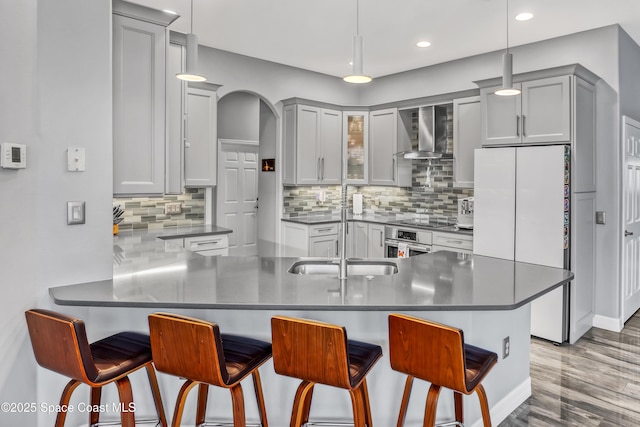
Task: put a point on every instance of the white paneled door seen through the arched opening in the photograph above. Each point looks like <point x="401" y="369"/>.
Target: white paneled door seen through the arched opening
<point x="237" y="199"/>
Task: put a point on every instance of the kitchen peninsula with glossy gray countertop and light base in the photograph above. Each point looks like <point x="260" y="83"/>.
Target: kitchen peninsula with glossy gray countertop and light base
<point x="486" y="297"/>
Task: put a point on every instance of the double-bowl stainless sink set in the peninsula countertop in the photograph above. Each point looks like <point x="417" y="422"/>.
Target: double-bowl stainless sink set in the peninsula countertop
<point x="354" y="267"/>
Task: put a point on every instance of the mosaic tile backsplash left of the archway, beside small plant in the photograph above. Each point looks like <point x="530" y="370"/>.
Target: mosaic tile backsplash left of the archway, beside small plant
<point x="148" y="212"/>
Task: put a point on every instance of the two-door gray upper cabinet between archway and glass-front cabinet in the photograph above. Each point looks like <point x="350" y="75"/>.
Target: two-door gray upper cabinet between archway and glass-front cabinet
<point x="312" y="145"/>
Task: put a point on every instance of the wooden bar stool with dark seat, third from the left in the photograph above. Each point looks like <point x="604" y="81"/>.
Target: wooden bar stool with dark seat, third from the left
<point x="318" y="352"/>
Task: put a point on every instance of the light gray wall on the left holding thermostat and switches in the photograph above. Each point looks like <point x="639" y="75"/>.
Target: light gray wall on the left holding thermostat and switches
<point x="55" y="89"/>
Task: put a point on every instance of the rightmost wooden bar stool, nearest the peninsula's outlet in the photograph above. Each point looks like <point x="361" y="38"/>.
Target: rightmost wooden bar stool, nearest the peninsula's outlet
<point x="437" y="353"/>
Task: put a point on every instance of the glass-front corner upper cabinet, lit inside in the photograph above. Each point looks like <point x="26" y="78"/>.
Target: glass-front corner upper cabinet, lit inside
<point x="356" y="146"/>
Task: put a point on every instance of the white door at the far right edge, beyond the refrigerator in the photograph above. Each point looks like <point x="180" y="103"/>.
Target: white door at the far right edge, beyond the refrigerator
<point x="631" y="216"/>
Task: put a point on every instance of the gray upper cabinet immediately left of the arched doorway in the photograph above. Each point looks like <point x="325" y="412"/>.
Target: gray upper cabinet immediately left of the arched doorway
<point x="200" y="147"/>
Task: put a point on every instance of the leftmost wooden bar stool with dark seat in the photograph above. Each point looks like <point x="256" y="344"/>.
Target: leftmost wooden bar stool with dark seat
<point x="60" y="344"/>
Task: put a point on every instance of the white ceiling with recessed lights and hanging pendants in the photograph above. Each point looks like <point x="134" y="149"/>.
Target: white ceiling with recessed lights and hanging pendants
<point x="317" y="34"/>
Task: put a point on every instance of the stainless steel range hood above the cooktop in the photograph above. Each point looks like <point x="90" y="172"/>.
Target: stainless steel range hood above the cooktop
<point x="432" y="134"/>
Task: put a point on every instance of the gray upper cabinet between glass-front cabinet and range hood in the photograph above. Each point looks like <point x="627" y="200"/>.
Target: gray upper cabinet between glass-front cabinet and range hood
<point x="385" y="166"/>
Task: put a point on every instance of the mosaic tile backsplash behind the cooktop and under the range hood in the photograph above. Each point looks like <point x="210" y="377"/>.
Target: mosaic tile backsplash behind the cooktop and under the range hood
<point x="438" y="197"/>
